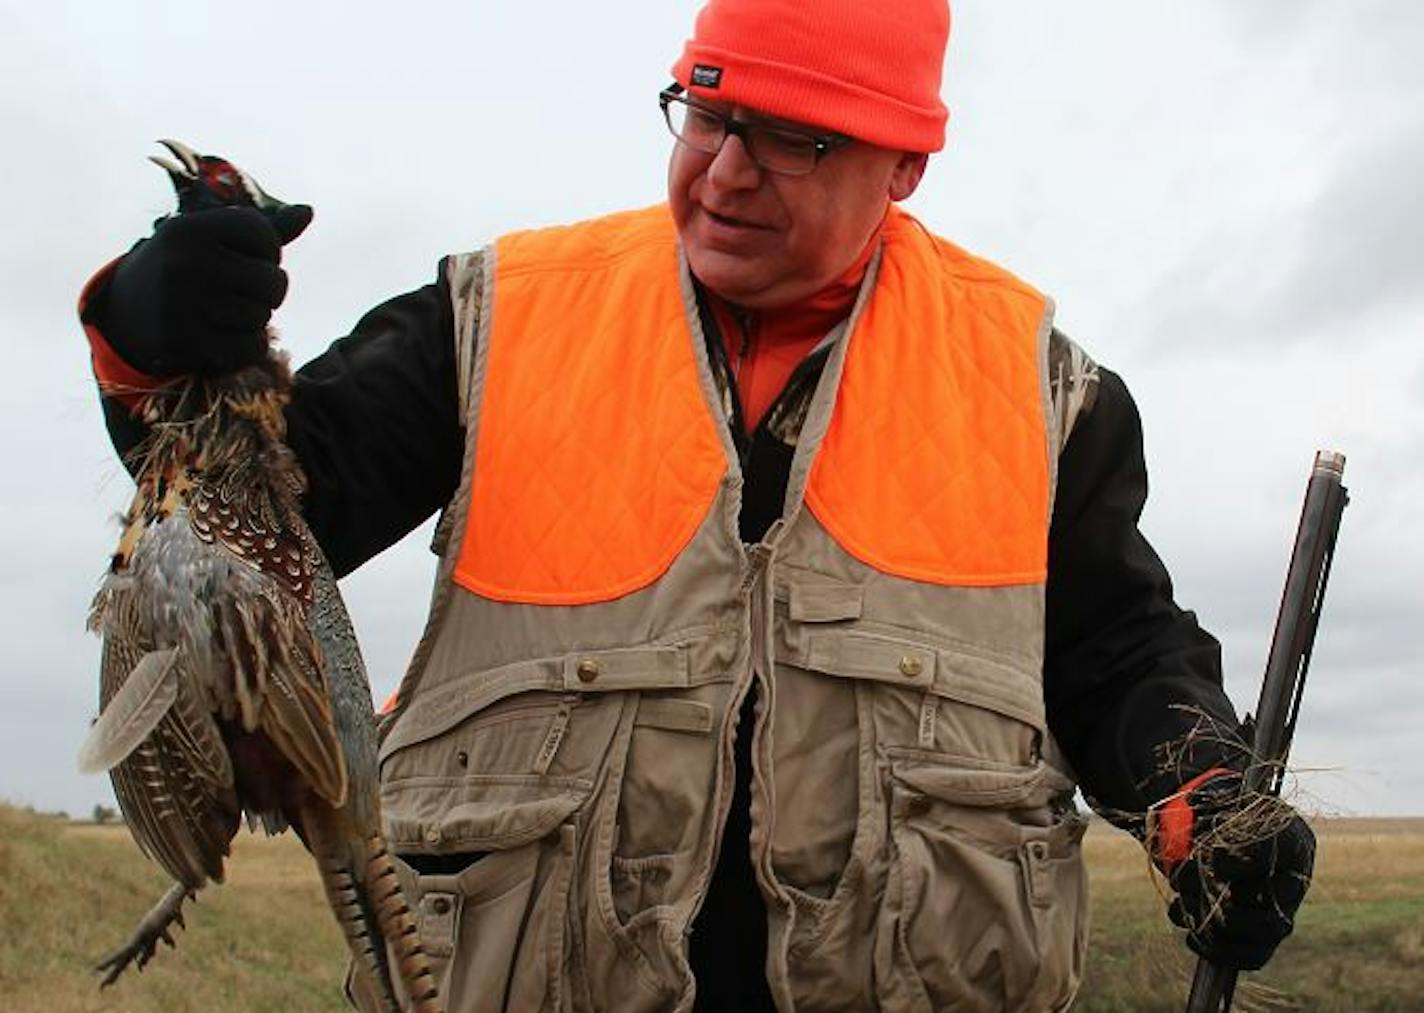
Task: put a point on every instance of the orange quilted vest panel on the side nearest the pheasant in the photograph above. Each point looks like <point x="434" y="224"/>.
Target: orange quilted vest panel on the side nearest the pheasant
<point x="597" y="457"/>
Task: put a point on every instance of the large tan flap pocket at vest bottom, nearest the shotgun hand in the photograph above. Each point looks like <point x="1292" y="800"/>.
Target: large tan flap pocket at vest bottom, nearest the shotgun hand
<point x="986" y="905"/>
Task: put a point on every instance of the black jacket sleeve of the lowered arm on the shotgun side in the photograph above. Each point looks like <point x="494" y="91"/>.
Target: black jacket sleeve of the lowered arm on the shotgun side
<point x="1129" y="676"/>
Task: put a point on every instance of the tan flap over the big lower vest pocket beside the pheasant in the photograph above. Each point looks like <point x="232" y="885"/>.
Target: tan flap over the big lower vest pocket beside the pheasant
<point x="432" y="816"/>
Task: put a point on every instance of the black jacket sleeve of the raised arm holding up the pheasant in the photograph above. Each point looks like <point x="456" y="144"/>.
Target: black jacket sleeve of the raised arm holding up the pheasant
<point x="374" y="422"/>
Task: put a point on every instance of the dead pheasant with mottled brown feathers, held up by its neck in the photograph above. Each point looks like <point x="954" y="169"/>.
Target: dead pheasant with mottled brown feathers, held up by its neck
<point x="231" y="682"/>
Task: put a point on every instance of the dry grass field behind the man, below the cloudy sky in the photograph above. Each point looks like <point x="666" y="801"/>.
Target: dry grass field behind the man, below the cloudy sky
<point x="264" y="942"/>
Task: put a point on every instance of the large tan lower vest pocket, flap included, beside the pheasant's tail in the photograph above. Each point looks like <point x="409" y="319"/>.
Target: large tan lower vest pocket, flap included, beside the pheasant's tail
<point x="493" y="811"/>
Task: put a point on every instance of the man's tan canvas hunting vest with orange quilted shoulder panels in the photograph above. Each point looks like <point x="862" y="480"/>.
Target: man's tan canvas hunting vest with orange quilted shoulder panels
<point x="576" y="717"/>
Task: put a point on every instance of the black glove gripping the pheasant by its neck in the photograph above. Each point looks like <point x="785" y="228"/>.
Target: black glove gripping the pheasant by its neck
<point x="197" y="296"/>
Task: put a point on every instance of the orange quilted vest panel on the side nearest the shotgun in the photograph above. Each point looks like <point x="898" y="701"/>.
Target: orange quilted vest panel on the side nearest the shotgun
<point x="936" y="462"/>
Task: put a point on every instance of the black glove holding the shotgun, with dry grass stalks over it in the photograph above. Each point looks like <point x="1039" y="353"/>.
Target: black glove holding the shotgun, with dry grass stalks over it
<point x="1245" y="876"/>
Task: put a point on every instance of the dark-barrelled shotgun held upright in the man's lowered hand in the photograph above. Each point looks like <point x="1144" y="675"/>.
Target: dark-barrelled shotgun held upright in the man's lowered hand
<point x="1282" y="687"/>
